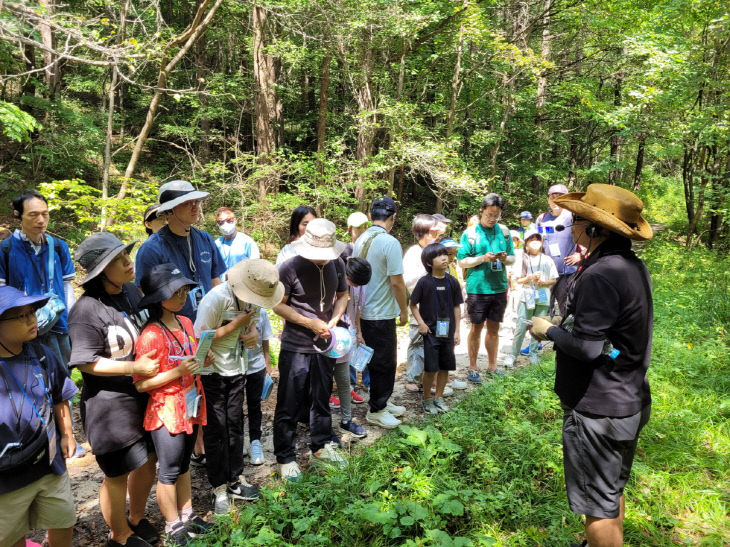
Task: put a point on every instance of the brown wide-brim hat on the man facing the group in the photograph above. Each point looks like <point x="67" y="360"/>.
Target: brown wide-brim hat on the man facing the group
<point x="611" y="207"/>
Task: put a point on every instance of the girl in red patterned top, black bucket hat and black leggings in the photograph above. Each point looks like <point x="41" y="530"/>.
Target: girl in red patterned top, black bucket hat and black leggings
<point x="171" y="416"/>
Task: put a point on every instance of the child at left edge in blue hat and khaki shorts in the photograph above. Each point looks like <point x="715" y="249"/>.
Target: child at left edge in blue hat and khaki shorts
<point x="35" y="490"/>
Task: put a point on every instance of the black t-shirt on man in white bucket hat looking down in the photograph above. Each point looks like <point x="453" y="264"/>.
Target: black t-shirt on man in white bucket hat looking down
<point x="302" y="285"/>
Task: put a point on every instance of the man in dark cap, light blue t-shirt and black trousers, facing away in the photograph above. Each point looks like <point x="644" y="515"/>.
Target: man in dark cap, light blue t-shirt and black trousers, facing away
<point x="386" y="300"/>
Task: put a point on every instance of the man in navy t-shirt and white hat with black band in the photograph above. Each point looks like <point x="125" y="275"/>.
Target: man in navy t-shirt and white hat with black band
<point x="179" y="243"/>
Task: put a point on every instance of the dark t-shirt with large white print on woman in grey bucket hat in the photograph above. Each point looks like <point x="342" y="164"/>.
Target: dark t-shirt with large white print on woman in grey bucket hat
<point x="104" y="325"/>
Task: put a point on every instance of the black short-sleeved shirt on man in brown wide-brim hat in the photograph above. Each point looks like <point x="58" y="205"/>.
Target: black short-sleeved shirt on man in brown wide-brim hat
<point x="610" y="299"/>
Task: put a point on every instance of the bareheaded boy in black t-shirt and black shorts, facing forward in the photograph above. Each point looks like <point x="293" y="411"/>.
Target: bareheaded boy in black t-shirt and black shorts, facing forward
<point x="435" y="304"/>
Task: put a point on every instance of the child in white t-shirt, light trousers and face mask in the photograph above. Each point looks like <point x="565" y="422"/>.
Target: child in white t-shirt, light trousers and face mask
<point x="535" y="276"/>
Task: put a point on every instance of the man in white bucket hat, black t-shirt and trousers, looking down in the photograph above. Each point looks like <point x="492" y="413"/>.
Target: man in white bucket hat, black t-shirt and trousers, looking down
<point x="315" y="297"/>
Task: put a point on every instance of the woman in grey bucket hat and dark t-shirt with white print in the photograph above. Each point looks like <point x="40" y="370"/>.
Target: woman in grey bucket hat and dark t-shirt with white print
<point x="103" y="326"/>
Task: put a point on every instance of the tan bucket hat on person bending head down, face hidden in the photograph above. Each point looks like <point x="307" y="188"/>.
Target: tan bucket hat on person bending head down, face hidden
<point x="256" y="281"/>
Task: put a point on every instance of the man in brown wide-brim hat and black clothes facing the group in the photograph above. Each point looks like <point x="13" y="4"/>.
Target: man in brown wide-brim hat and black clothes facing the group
<point x="603" y="348"/>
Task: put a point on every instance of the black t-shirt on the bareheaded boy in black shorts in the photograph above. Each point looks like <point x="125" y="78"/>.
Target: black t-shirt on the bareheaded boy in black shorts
<point x="428" y="291"/>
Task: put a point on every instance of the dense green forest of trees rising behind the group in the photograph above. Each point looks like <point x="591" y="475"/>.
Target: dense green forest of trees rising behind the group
<point x="330" y="102"/>
